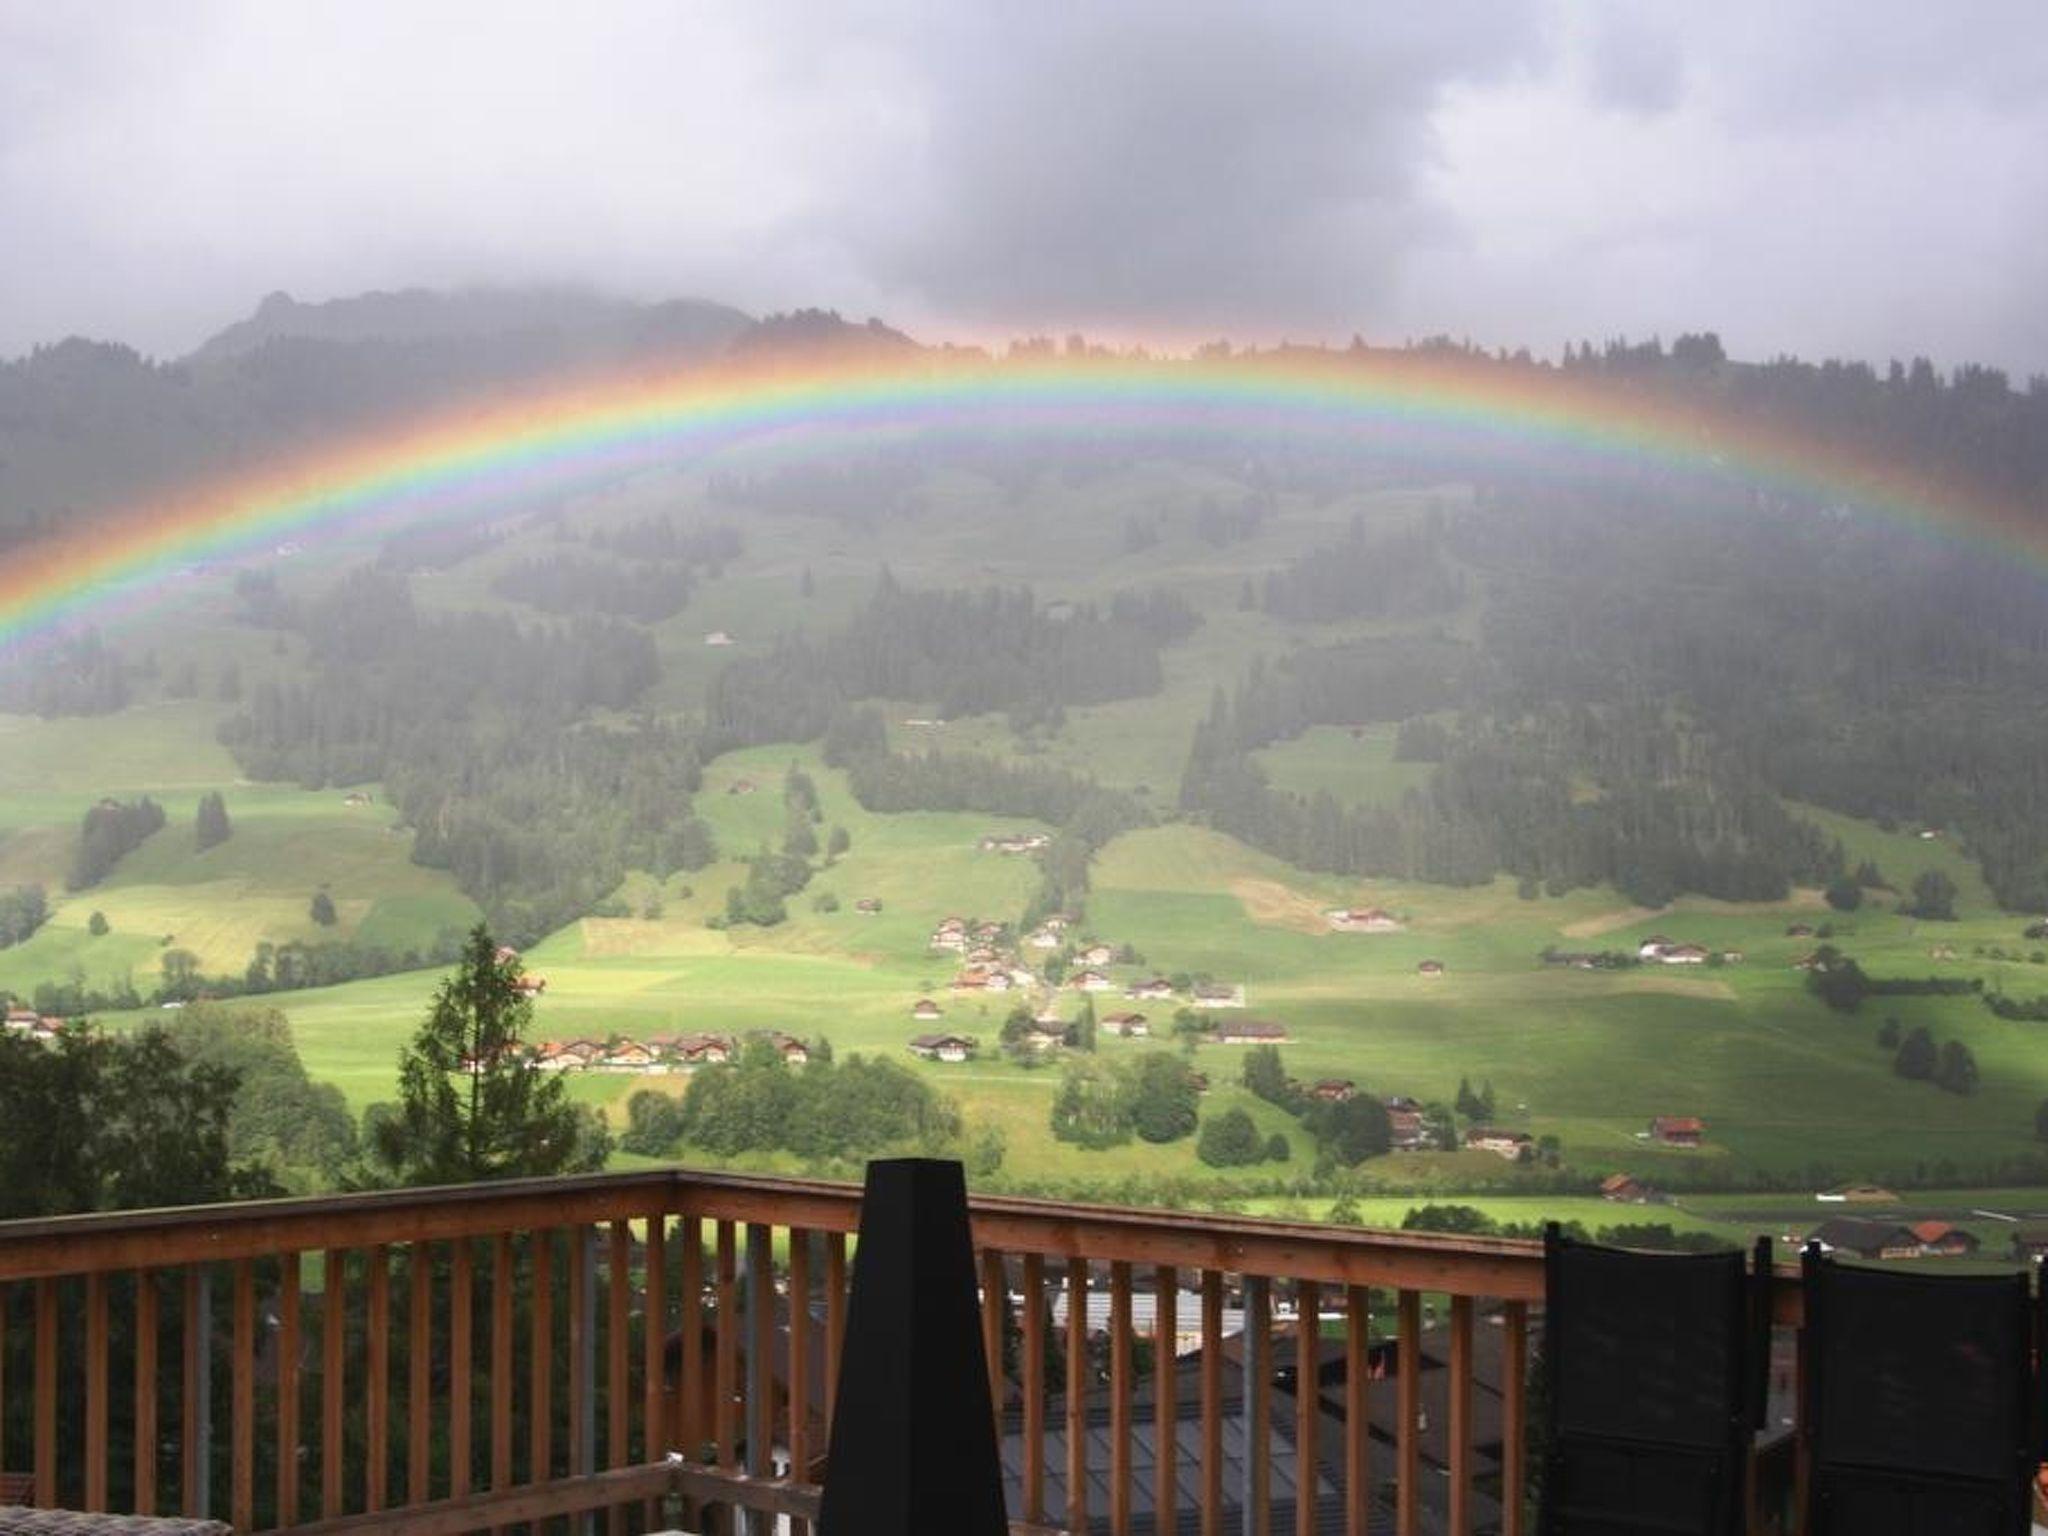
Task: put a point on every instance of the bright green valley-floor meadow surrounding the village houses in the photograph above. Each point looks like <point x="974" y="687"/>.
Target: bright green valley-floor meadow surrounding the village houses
<point x="1590" y="1058"/>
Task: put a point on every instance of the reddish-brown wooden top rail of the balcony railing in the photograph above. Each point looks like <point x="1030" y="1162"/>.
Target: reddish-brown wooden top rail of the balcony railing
<point x="1291" y="1250"/>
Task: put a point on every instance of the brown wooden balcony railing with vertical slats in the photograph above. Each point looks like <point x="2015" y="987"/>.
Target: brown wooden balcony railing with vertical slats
<point x="511" y="1355"/>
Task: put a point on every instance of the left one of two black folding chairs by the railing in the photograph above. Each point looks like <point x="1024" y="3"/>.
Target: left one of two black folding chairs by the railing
<point x="1656" y="1369"/>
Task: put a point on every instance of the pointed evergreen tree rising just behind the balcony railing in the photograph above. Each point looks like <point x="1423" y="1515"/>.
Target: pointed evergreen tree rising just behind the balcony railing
<point x="470" y="1109"/>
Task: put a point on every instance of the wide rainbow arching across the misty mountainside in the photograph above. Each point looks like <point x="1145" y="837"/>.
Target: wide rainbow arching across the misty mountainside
<point x="468" y="462"/>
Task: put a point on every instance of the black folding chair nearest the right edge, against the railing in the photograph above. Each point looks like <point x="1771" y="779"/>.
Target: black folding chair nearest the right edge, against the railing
<point x="1920" y="1402"/>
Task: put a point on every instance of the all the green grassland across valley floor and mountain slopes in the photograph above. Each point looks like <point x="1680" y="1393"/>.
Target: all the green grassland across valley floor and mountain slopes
<point x="1789" y="1091"/>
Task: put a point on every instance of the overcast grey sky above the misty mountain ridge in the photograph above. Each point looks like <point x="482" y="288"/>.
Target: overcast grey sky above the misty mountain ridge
<point x="1832" y="177"/>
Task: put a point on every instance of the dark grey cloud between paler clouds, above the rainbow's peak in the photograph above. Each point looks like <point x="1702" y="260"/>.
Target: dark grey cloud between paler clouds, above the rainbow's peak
<point x="1181" y="165"/>
